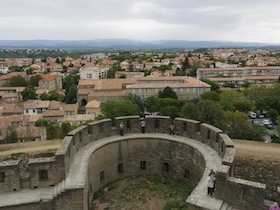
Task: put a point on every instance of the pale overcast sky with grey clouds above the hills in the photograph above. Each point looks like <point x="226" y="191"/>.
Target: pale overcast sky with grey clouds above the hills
<point x="194" y="20"/>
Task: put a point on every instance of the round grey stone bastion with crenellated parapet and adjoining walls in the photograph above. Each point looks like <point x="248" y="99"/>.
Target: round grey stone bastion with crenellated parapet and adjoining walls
<point x="92" y="156"/>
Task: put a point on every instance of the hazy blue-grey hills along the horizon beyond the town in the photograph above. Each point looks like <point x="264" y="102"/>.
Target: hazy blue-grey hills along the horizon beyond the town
<point x="125" y="44"/>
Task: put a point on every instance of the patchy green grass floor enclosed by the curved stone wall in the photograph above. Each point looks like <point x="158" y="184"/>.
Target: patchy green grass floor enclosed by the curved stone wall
<point x="171" y="192"/>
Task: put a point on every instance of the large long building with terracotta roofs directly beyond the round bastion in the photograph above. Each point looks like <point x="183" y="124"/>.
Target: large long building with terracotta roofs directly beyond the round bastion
<point x="116" y="89"/>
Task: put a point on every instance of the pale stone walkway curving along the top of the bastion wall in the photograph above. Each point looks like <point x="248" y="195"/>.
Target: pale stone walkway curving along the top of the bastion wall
<point x="78" y="169"/>
